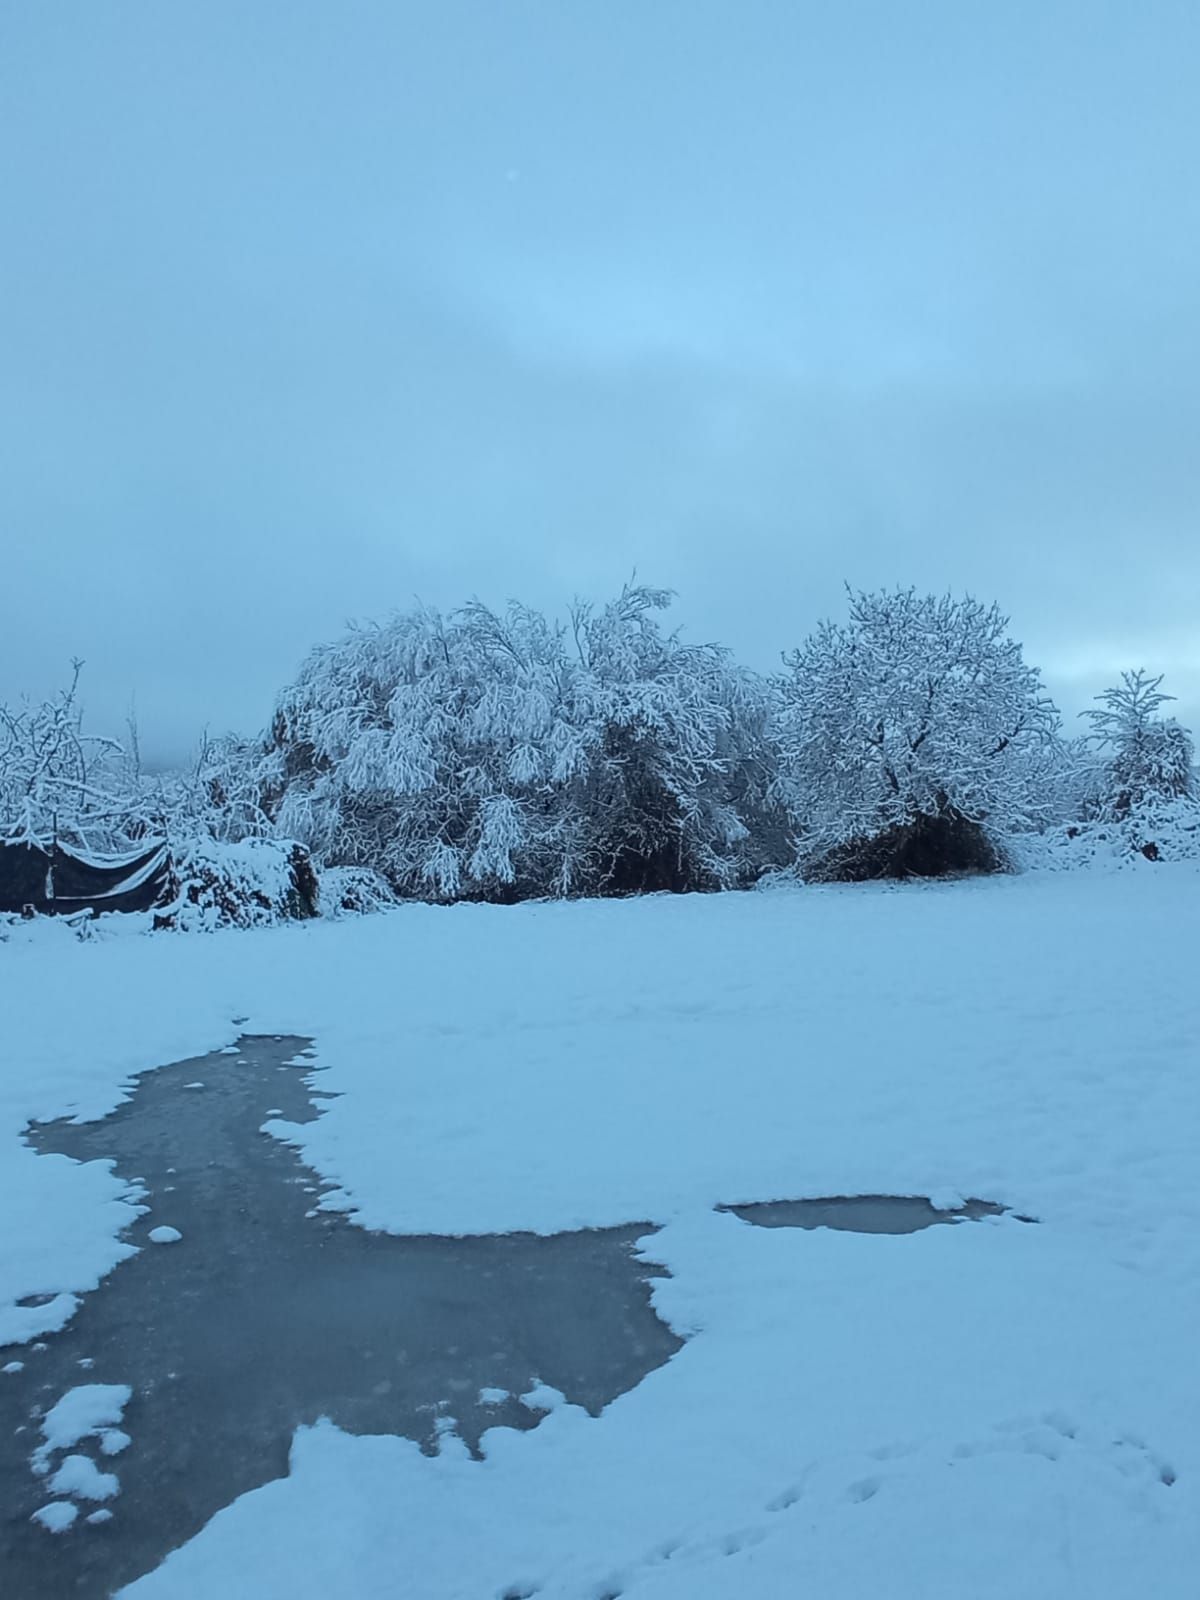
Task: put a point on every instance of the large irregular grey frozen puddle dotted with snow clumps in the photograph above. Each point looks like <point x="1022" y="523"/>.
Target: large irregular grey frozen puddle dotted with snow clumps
<point x="263" y="1316"/>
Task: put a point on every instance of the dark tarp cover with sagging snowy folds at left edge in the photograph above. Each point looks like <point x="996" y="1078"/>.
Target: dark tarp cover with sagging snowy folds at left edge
<point x="65" y="881"/>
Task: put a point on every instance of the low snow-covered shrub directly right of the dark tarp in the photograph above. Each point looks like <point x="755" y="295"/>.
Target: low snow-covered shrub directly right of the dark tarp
<point x="239" y="886"/>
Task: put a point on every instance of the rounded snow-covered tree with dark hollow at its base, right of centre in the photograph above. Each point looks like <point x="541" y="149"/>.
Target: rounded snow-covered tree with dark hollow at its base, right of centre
<point x="913" y="738"/>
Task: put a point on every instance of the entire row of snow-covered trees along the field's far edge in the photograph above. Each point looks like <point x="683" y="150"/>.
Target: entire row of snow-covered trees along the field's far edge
<point x="505" y="756"/>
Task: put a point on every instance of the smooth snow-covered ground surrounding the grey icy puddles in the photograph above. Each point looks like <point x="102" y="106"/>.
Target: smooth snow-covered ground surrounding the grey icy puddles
<point x="978" y="1410"/>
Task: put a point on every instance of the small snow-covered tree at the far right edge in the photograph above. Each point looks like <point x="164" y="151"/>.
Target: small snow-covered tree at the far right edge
<point x="1145" y="758"/>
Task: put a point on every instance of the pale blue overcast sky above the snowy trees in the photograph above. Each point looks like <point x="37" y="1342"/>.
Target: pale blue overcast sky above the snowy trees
<point x="310" y="311"/>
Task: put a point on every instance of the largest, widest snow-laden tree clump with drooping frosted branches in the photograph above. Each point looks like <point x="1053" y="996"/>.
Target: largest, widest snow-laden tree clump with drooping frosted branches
<point x="502" y="756"/>
